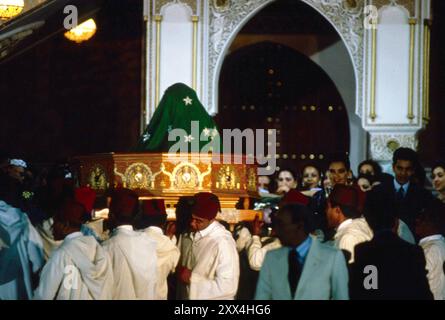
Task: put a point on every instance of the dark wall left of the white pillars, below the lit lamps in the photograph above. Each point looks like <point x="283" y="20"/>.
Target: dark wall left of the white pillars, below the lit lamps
<point x="61" y="99"/>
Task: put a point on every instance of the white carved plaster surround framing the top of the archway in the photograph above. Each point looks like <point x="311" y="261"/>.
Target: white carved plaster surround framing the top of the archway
<point x="347" y="20"/>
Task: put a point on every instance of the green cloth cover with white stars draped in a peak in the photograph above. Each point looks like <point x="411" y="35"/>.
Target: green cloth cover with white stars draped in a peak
<point x="178" y="108"/>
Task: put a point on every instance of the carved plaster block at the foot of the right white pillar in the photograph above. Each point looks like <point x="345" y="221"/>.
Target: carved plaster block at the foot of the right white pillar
<point x="383" y="145"/>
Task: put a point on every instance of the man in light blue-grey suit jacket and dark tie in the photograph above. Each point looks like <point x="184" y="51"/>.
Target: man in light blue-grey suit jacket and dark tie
<point x="304" y="268"/>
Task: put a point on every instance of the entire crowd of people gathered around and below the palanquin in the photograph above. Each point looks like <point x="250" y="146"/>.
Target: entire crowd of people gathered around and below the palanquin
<point x="322" y="234"/>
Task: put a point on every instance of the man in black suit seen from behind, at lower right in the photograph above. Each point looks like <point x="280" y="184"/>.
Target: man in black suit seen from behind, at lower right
<point x="387" y="267"/>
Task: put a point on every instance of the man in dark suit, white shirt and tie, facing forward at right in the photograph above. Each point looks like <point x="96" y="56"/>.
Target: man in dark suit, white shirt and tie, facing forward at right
<point x="409" y="198"/>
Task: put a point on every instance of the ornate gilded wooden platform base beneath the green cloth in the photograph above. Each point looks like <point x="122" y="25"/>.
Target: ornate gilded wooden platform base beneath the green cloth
<point x="170" y="176"/>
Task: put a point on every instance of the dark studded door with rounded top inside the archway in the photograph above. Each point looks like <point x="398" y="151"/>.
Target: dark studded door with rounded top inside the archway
<point x="271" y="86"/>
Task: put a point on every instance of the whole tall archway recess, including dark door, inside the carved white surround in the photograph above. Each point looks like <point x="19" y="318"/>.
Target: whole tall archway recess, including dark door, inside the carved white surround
<point x="306" y="98"/>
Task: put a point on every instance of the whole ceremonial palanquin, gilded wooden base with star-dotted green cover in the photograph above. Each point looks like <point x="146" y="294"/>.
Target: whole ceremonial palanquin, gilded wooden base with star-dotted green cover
<point x="158" y="170"/>
